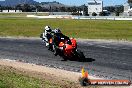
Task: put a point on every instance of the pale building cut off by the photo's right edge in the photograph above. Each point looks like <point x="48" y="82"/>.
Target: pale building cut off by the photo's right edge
<point x="128" y="9"/>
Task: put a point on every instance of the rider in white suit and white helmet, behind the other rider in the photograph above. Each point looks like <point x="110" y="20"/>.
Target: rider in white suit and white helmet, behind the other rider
<point x="47" y="34"/>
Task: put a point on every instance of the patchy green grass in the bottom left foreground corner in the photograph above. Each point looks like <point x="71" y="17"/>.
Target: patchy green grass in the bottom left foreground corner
<point x="10" y="78"/>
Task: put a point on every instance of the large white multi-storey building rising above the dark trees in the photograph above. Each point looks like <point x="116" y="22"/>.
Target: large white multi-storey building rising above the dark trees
<point x="95" y="6"/>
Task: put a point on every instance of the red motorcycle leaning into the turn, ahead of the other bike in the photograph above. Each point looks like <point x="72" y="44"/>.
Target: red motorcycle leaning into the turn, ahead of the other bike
<point x="68" y="50"/>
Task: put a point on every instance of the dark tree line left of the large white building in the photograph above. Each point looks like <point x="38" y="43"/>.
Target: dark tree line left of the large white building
<point x="38" y="8"/>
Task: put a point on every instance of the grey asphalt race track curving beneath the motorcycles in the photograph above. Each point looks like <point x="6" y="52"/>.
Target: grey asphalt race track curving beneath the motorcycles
<point x="110" y="60"/>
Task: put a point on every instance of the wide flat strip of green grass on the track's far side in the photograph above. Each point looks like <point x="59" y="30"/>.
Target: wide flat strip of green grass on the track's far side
<point x="88" y="29"/>
